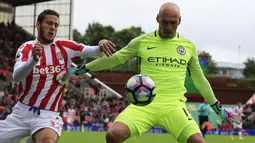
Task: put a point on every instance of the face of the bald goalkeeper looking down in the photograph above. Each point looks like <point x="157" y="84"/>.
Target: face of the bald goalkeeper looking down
<point x="168" y="24"/>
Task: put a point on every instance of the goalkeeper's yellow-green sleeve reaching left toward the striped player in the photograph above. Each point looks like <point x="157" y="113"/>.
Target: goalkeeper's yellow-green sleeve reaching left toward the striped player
<point x="118" y="58"/>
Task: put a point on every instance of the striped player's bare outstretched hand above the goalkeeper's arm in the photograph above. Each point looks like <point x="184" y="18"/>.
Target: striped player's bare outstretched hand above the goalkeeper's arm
<point x="107" y="47"/>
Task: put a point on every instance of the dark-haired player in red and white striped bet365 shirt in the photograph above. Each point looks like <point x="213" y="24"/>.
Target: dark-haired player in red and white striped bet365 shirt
<point x="38" y="63"/>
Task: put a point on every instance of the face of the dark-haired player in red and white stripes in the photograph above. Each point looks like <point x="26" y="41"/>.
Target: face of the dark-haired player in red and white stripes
<point x="48" y="28"/>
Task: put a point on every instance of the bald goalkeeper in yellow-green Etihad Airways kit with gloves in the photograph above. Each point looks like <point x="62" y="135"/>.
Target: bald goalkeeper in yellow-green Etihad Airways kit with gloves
<point x="165" y="57"/>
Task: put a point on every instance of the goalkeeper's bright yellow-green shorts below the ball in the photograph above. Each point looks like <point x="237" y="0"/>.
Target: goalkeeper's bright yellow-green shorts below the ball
<point x="174" y="117"/>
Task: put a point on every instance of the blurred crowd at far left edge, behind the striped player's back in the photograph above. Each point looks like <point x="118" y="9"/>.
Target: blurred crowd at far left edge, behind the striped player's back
<point x="11" y="37"/>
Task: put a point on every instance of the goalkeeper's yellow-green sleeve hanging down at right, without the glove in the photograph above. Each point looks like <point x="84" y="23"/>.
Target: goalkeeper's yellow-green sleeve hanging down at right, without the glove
<point x="199" y="79"/>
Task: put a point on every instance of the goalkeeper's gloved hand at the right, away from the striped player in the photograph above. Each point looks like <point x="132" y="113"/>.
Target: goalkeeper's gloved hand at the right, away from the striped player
<point x="226" y="116"/>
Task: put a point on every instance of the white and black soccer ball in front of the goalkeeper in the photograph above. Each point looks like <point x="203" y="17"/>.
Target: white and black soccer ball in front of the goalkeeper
<point x="140" y="90"/>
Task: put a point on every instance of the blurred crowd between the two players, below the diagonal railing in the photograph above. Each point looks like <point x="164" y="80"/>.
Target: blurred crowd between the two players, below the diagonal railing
<point x="86" y="102"/>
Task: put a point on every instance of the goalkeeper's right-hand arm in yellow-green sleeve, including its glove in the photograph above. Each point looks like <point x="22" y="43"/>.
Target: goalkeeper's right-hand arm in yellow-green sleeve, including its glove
<point x="205" y="89"/>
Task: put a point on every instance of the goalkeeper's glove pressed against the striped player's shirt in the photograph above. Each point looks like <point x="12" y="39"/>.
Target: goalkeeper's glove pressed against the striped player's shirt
<point x="63" y="76"/>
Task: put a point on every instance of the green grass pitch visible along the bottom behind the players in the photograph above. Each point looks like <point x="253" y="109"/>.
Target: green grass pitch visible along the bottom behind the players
<point x="98" y="137"/>
